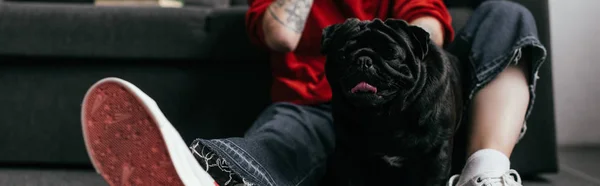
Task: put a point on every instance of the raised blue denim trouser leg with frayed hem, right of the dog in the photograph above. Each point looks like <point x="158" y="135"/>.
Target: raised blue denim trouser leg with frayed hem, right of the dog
<point x="497" y="35"/>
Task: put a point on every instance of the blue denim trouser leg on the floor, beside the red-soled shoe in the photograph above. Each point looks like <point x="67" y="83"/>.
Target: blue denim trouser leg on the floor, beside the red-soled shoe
<point x="287" y="145"/>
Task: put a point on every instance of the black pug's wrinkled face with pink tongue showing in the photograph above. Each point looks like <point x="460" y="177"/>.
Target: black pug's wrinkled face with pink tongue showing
<point x="371" y="63"/>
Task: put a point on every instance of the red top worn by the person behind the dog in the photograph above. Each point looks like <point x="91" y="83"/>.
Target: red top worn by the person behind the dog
<point x="299" y="76"/>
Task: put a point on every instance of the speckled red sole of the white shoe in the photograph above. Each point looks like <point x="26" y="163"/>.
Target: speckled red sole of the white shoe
<point x="123" y="140"/>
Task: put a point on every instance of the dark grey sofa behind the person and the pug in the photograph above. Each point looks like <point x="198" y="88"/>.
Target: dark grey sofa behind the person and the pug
<point x="51" y="52"/>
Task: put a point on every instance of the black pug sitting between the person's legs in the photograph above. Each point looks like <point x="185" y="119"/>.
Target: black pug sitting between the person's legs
<point x="396" y="103"/>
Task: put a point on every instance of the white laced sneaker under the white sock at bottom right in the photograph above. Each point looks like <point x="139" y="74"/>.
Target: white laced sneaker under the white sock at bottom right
<point x="509" y="178"/>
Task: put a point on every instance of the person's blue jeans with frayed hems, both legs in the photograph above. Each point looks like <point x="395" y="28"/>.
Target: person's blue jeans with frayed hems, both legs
<point x="289" y="144"/>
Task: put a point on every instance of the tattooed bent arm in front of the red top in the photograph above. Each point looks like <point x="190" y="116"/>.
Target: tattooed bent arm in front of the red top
<point x="284" y="22"/>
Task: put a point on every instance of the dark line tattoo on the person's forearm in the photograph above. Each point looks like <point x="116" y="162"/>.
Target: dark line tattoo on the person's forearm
<point x="294" y="11"/>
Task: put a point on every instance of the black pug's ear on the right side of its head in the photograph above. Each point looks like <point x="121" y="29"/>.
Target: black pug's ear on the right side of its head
<point x="418" y="36"/>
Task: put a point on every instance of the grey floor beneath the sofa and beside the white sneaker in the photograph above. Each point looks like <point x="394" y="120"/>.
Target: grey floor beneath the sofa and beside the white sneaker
<point x="579" y="166"/>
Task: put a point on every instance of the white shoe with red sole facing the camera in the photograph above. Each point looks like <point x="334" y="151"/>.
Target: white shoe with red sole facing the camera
<point x="131" y="142"/>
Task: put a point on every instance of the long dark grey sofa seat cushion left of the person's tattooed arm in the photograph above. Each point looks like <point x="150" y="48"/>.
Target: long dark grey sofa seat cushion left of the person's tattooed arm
<point x="112" y="32"/>
